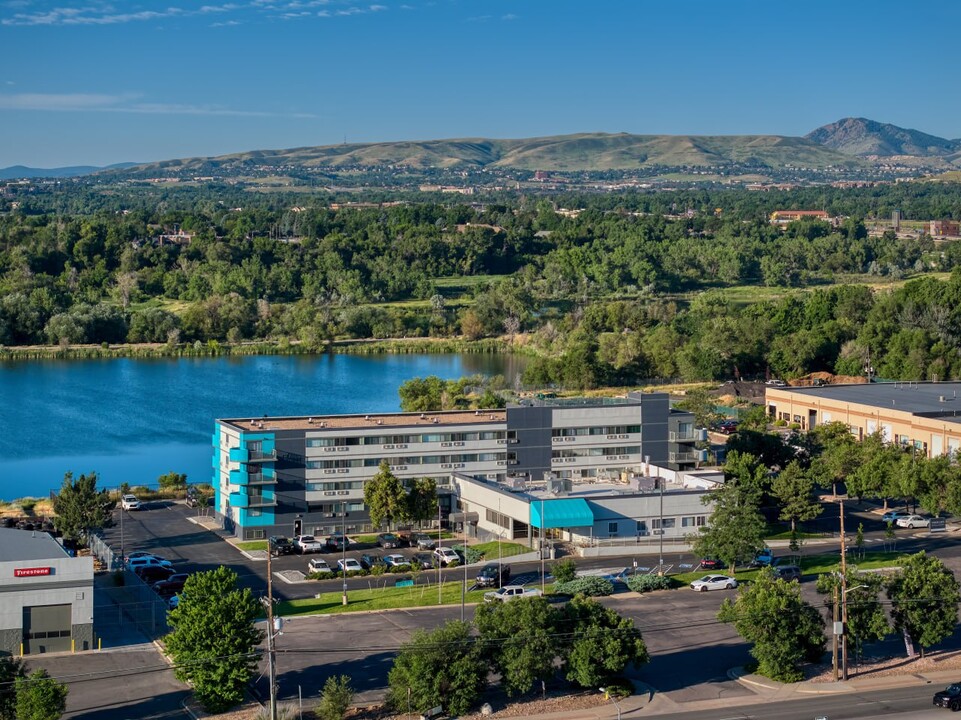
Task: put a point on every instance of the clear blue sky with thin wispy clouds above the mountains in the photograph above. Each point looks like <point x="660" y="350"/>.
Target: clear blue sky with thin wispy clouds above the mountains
<point x="97" y="82"/>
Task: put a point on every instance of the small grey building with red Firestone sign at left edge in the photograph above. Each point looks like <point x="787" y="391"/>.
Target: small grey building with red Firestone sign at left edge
<point x="46" y="596"/>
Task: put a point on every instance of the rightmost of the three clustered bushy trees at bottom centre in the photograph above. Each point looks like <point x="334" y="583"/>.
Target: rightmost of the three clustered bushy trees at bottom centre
<point x="602" y="643"/>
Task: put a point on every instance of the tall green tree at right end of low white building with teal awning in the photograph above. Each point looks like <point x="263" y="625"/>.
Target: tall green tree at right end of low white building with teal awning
<point x="735" y="532"/>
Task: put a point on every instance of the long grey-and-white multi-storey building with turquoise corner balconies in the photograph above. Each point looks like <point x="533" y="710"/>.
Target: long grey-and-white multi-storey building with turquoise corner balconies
<point x="286" y="475"/>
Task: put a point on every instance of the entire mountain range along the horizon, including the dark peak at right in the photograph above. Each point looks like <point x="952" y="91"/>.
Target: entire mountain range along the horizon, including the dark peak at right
<point x="849" y="143"/>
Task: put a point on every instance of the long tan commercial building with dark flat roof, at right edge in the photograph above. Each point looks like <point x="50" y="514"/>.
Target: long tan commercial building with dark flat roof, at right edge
<point x="925" y="416"/>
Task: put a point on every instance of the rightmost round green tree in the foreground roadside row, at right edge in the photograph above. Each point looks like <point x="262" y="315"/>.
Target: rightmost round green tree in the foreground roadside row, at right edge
<point x="924" y="600"/>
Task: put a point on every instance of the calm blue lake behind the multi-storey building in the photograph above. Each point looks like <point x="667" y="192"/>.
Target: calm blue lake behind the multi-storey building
<point x="133" y="420"/>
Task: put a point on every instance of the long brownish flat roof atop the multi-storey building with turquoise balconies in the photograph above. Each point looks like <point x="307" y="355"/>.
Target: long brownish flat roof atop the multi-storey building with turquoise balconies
<point x="369" y="421"/>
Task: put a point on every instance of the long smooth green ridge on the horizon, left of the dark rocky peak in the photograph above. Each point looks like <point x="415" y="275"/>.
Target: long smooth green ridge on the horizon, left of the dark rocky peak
<point x="582" y="152"/>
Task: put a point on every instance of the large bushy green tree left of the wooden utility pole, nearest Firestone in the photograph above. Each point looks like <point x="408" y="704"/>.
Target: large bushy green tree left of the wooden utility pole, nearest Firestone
<point x="214" y="640"/>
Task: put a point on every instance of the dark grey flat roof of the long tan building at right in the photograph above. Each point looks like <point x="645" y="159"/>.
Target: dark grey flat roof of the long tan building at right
<point x="920" y="398"/>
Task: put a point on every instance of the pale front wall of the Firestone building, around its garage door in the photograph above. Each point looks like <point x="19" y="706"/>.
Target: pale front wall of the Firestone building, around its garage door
<point x="70" y="583"/>
